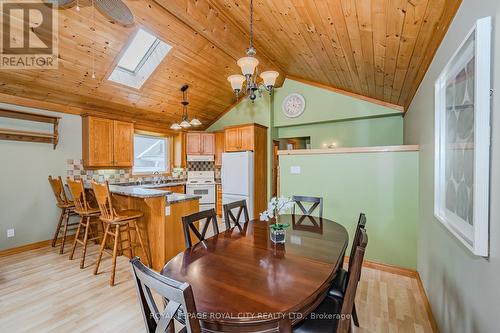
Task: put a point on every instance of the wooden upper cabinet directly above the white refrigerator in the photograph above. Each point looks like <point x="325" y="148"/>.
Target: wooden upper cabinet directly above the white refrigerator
<point x="241" y="138"/>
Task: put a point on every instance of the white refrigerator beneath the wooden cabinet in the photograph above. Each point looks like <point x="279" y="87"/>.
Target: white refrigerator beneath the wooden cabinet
<point x="237" y="178"/>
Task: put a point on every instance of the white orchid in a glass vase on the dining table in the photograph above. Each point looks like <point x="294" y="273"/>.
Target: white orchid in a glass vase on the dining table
<point x="276" y="207"/>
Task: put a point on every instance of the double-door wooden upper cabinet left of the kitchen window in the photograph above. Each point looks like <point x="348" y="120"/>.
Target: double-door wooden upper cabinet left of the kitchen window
<point x="107" y="143"/>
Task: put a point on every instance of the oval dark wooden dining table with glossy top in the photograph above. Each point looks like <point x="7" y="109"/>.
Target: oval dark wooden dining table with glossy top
<point x="243" y="282"/>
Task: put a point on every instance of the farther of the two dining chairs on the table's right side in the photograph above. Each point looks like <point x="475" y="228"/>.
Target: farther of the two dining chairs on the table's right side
<point x="339" y="284"/>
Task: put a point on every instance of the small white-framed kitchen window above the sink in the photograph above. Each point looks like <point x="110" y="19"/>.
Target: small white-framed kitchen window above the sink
<point x="151" y="154"/>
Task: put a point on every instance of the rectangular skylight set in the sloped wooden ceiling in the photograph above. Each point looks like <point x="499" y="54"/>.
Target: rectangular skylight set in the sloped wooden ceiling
<point x="141" y="57"/>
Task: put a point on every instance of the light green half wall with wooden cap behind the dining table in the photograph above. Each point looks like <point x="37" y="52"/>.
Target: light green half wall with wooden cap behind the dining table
<point x="382" y="185"/>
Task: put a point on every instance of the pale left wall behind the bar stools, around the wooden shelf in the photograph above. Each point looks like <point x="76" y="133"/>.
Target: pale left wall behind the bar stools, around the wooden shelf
<point x="26" y="200"/>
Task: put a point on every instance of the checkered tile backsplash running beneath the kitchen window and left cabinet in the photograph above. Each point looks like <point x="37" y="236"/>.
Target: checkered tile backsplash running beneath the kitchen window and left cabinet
<point x="76" y="170"/>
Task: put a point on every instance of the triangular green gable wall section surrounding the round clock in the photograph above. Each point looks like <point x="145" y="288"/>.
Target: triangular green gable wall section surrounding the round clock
<point x="324" y="105"/>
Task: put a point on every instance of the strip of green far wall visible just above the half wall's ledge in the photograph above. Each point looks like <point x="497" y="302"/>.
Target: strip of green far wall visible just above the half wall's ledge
<point x="384" y="131"/>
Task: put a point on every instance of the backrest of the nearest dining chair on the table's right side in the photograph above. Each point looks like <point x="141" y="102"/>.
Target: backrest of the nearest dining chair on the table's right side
<point x="352" y="282"/>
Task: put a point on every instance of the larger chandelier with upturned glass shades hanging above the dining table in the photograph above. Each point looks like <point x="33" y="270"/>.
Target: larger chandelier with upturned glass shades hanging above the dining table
<point x="248" y="67"/>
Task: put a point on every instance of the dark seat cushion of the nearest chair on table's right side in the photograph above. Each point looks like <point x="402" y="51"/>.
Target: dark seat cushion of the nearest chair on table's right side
<point x="323" y="319"/>
